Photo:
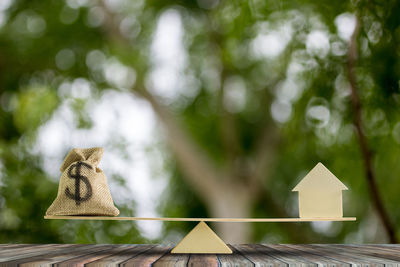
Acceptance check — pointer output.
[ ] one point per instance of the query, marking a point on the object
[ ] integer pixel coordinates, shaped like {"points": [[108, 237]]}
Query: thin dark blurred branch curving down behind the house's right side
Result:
{"points": [[366, 151]]}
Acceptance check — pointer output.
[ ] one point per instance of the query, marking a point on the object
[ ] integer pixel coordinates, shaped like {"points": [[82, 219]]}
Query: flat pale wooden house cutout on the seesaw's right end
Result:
{"points": [[320, 194]]}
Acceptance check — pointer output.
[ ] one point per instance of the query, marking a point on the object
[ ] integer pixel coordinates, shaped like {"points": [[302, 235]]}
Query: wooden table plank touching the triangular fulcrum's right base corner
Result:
{"points": [[259, 259]]}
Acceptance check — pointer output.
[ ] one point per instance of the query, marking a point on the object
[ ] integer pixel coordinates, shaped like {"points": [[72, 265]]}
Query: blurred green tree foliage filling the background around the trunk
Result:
{"points": [[284, 79]]}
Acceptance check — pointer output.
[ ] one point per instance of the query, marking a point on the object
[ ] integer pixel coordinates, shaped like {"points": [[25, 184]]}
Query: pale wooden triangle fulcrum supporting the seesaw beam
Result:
{"points": [[202, 240]]}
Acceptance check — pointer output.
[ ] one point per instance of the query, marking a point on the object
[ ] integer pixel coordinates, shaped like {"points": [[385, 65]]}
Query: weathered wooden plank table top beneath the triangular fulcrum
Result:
{"points": [[159, 255]]}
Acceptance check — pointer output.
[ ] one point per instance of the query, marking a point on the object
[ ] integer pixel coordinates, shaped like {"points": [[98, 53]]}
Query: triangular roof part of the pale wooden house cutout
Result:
{"points": [[320, 177]]}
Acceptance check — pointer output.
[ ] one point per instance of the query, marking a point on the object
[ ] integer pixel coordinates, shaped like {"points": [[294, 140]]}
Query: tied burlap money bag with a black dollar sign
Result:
{"points": [[83, 188]]}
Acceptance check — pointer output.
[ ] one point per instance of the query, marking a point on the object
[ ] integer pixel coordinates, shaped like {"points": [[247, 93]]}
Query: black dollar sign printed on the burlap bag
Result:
{"points": [[78, 178]]}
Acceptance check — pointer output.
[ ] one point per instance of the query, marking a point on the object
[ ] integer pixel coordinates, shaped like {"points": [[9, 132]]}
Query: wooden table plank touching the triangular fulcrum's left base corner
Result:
{"points": [[148, 257]]}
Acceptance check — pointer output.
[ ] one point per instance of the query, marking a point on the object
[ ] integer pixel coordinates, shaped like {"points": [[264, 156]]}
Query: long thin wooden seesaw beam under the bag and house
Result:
{"points": [[198, 219]]}
